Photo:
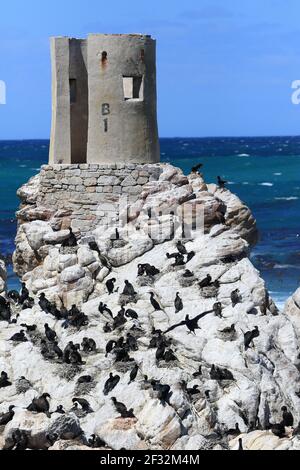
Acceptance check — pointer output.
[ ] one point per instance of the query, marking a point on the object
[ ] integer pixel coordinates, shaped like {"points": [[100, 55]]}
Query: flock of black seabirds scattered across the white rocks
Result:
{"points": [[122, 347]]}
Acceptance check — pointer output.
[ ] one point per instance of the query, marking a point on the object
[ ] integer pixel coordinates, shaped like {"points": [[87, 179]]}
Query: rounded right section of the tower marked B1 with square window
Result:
{"points": [[122, 99]]}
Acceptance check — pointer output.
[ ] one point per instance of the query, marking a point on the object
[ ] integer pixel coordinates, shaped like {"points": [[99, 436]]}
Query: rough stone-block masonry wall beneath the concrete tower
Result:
{"points": [[90, 195]]}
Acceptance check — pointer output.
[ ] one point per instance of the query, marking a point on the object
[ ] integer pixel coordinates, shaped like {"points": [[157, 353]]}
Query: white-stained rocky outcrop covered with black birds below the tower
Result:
{"points": [[260, 377]]}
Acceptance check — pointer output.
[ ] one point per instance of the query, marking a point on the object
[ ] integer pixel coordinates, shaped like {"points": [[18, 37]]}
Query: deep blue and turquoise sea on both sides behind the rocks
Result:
{"points": [[263, 172]]}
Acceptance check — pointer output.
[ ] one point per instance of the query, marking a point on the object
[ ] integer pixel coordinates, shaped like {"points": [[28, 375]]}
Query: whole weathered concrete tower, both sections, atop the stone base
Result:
{"points": [[104, 100]]}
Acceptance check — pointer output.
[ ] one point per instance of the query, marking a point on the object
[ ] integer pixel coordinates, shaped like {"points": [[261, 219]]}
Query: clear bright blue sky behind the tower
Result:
{"points": [[225, 67]]}
